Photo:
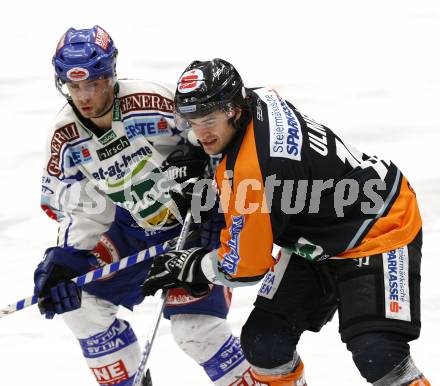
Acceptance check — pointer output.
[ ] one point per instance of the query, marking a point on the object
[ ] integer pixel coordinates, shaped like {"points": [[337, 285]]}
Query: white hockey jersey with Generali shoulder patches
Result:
{"points": [[87, 175]]}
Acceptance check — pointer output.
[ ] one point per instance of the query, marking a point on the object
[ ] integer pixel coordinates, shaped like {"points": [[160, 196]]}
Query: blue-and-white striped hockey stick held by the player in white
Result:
{"points": [[92, 275]]}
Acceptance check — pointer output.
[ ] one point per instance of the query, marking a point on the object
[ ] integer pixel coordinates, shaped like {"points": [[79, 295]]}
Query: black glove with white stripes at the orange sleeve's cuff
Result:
{"points": [[178, 269]]}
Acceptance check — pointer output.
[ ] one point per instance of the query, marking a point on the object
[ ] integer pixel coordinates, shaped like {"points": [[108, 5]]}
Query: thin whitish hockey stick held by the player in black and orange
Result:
{"points": [[160, 307]]}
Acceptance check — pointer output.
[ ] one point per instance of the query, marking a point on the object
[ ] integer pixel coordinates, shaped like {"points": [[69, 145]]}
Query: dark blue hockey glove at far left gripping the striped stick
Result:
{"points": [[52, 280]]}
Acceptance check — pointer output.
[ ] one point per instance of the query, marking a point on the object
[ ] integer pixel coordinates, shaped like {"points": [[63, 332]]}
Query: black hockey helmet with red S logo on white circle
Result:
{"points": [[208, 86]]}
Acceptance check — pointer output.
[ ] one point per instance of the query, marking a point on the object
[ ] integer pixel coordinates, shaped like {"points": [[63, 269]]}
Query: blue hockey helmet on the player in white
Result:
{"points": [[84, 54]]}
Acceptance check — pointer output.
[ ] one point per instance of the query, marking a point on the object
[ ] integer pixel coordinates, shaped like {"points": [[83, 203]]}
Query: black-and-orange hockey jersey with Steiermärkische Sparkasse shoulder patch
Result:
{"points": [[290, 181]]}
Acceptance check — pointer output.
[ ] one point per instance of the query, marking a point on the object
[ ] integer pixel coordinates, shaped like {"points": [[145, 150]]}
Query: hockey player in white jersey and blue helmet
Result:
{"points": [[105, 181]]}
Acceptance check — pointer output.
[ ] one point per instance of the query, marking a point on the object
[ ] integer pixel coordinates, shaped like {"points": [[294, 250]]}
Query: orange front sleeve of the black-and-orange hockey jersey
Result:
{"points": [[247, 241]]}
